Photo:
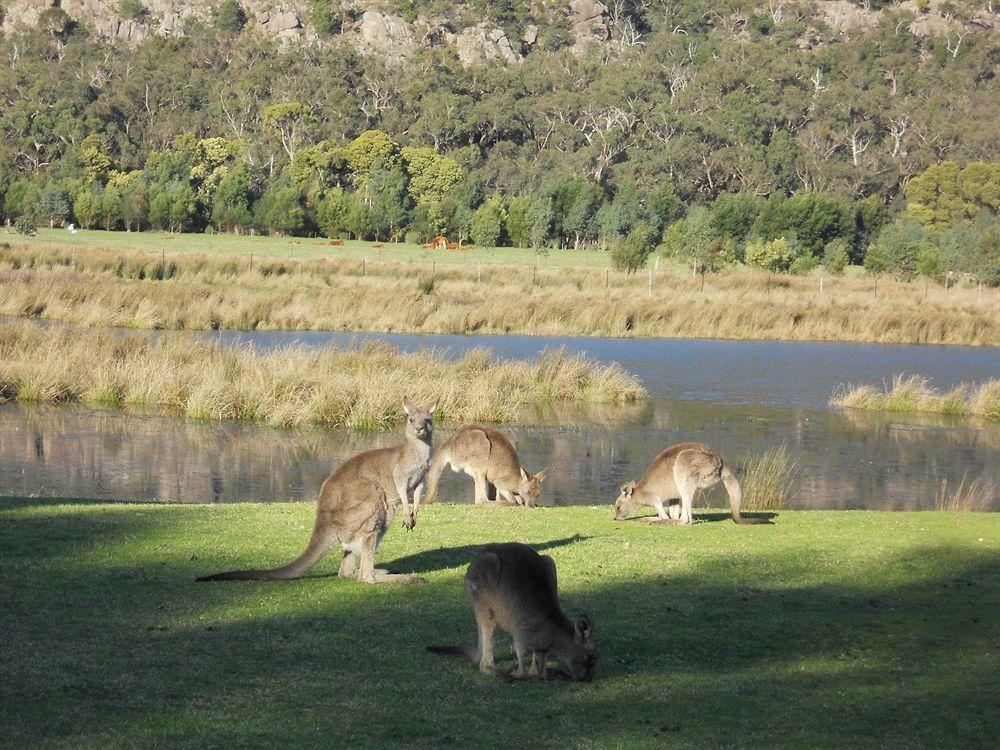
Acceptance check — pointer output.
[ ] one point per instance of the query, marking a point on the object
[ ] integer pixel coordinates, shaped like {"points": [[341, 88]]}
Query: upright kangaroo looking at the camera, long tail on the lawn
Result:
{"points": [[357, 503]]}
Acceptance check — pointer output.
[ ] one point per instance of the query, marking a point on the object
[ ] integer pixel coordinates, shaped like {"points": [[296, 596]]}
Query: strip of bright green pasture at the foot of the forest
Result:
{"points": [[307, 248]]}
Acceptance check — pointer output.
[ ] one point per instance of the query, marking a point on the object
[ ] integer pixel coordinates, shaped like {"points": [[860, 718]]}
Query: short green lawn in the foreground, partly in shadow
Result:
{"points": [[829, 629]]}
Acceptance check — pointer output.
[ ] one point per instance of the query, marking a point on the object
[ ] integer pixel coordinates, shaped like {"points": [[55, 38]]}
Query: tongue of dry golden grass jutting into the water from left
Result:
{"points": [[360, 388]]}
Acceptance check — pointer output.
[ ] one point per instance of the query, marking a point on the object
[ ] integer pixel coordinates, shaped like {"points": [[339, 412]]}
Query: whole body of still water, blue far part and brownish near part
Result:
{"points": [[737, 396]]}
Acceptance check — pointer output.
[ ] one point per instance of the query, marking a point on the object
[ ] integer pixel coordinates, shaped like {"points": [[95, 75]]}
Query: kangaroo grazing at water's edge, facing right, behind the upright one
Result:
{"points": [[489, 458]]}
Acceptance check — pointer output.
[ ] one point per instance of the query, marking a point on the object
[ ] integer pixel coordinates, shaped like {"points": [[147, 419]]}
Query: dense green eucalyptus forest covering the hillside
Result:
{"points": [[776, 135]]}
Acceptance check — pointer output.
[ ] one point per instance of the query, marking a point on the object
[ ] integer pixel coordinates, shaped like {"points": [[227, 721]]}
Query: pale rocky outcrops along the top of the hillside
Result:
{"points": [[393, 30]]}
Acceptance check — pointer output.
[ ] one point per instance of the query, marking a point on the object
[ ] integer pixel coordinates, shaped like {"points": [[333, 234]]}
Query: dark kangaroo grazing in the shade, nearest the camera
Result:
{"points": [[512, 586]]}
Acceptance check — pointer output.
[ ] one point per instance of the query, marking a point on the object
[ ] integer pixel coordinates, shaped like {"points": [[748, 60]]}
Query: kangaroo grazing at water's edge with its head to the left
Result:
{"points": [[673, 478]]}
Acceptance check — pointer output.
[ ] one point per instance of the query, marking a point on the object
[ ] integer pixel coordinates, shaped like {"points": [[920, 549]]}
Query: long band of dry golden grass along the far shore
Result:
{"points": [[102, 287]]}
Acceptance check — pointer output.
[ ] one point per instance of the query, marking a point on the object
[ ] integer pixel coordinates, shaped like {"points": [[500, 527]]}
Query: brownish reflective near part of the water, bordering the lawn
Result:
{"points": [[849, 460]]}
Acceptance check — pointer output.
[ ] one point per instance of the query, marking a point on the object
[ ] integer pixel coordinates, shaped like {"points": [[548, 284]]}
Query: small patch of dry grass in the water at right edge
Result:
{"points": [[913, 393]]}
